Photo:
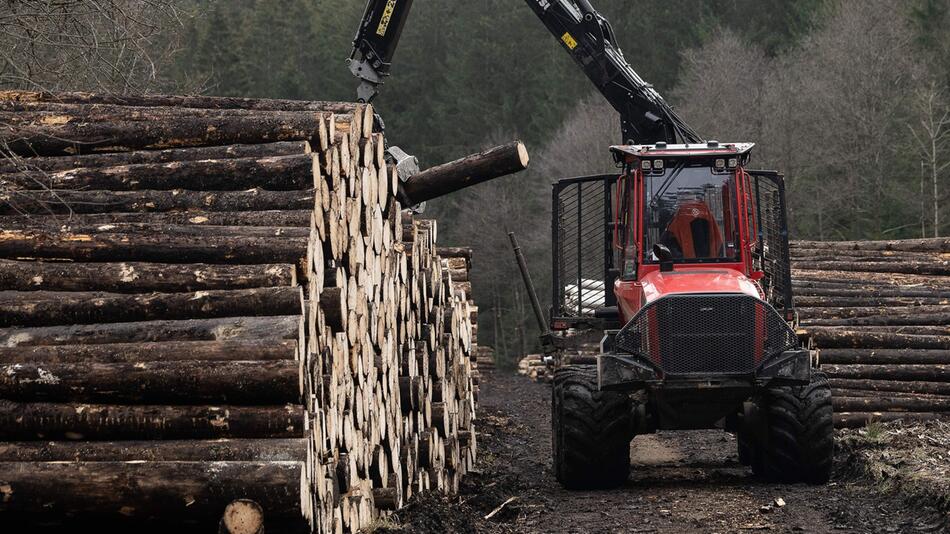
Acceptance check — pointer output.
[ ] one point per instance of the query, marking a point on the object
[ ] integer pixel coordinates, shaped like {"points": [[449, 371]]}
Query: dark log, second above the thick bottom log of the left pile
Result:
{"points": [[47, 421]]}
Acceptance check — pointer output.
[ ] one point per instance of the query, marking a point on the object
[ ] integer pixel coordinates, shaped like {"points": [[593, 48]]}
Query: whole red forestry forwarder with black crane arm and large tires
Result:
{"points": [[681, 261]]}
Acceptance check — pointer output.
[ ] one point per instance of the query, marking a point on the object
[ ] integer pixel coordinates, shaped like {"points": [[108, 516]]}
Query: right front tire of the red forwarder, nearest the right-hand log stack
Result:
{"points": [[800, 434]]}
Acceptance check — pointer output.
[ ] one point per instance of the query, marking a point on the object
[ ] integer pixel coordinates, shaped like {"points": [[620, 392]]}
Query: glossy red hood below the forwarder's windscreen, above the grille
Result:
{"points": [[697, 279]]}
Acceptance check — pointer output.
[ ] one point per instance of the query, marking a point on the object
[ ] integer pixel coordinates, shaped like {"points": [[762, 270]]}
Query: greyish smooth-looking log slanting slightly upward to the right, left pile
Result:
{"points": [[229, 328]]}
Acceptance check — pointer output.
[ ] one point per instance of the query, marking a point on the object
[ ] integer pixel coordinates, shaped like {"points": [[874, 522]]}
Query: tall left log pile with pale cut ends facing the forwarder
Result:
{"points": [[209, 300]]}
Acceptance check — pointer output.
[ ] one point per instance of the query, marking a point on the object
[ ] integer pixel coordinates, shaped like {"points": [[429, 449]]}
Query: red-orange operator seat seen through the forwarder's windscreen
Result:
{"points": [[693, 232]]}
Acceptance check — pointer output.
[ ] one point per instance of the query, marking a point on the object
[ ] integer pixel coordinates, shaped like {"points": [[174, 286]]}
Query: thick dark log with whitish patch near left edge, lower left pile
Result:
{"points": [[177, 382]]}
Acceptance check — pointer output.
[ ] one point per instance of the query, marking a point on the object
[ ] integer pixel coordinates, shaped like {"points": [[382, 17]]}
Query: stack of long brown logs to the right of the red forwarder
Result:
{"points": [[879, 312]]}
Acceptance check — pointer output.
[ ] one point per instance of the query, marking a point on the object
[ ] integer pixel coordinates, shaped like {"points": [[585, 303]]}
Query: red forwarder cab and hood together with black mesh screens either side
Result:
{"points": [[718, 228]]}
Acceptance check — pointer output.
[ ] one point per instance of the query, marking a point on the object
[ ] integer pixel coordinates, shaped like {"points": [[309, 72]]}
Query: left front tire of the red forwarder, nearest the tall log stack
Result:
{"points": [[591, 431]]}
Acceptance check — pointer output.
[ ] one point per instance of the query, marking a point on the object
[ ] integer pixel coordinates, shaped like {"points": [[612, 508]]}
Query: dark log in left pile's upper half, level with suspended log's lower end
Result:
{"points": [[14, 202]]}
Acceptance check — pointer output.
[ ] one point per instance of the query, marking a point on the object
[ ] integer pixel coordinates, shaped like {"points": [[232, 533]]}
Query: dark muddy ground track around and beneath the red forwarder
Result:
{"points": [[681, 482]]}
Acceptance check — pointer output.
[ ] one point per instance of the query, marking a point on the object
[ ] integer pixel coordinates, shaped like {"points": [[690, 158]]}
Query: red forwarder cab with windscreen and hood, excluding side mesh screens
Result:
{"points": [[683, 222]]}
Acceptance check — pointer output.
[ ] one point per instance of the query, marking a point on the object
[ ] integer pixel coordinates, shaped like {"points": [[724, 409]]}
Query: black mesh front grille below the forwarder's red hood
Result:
{"points": [[706, 334]]}
